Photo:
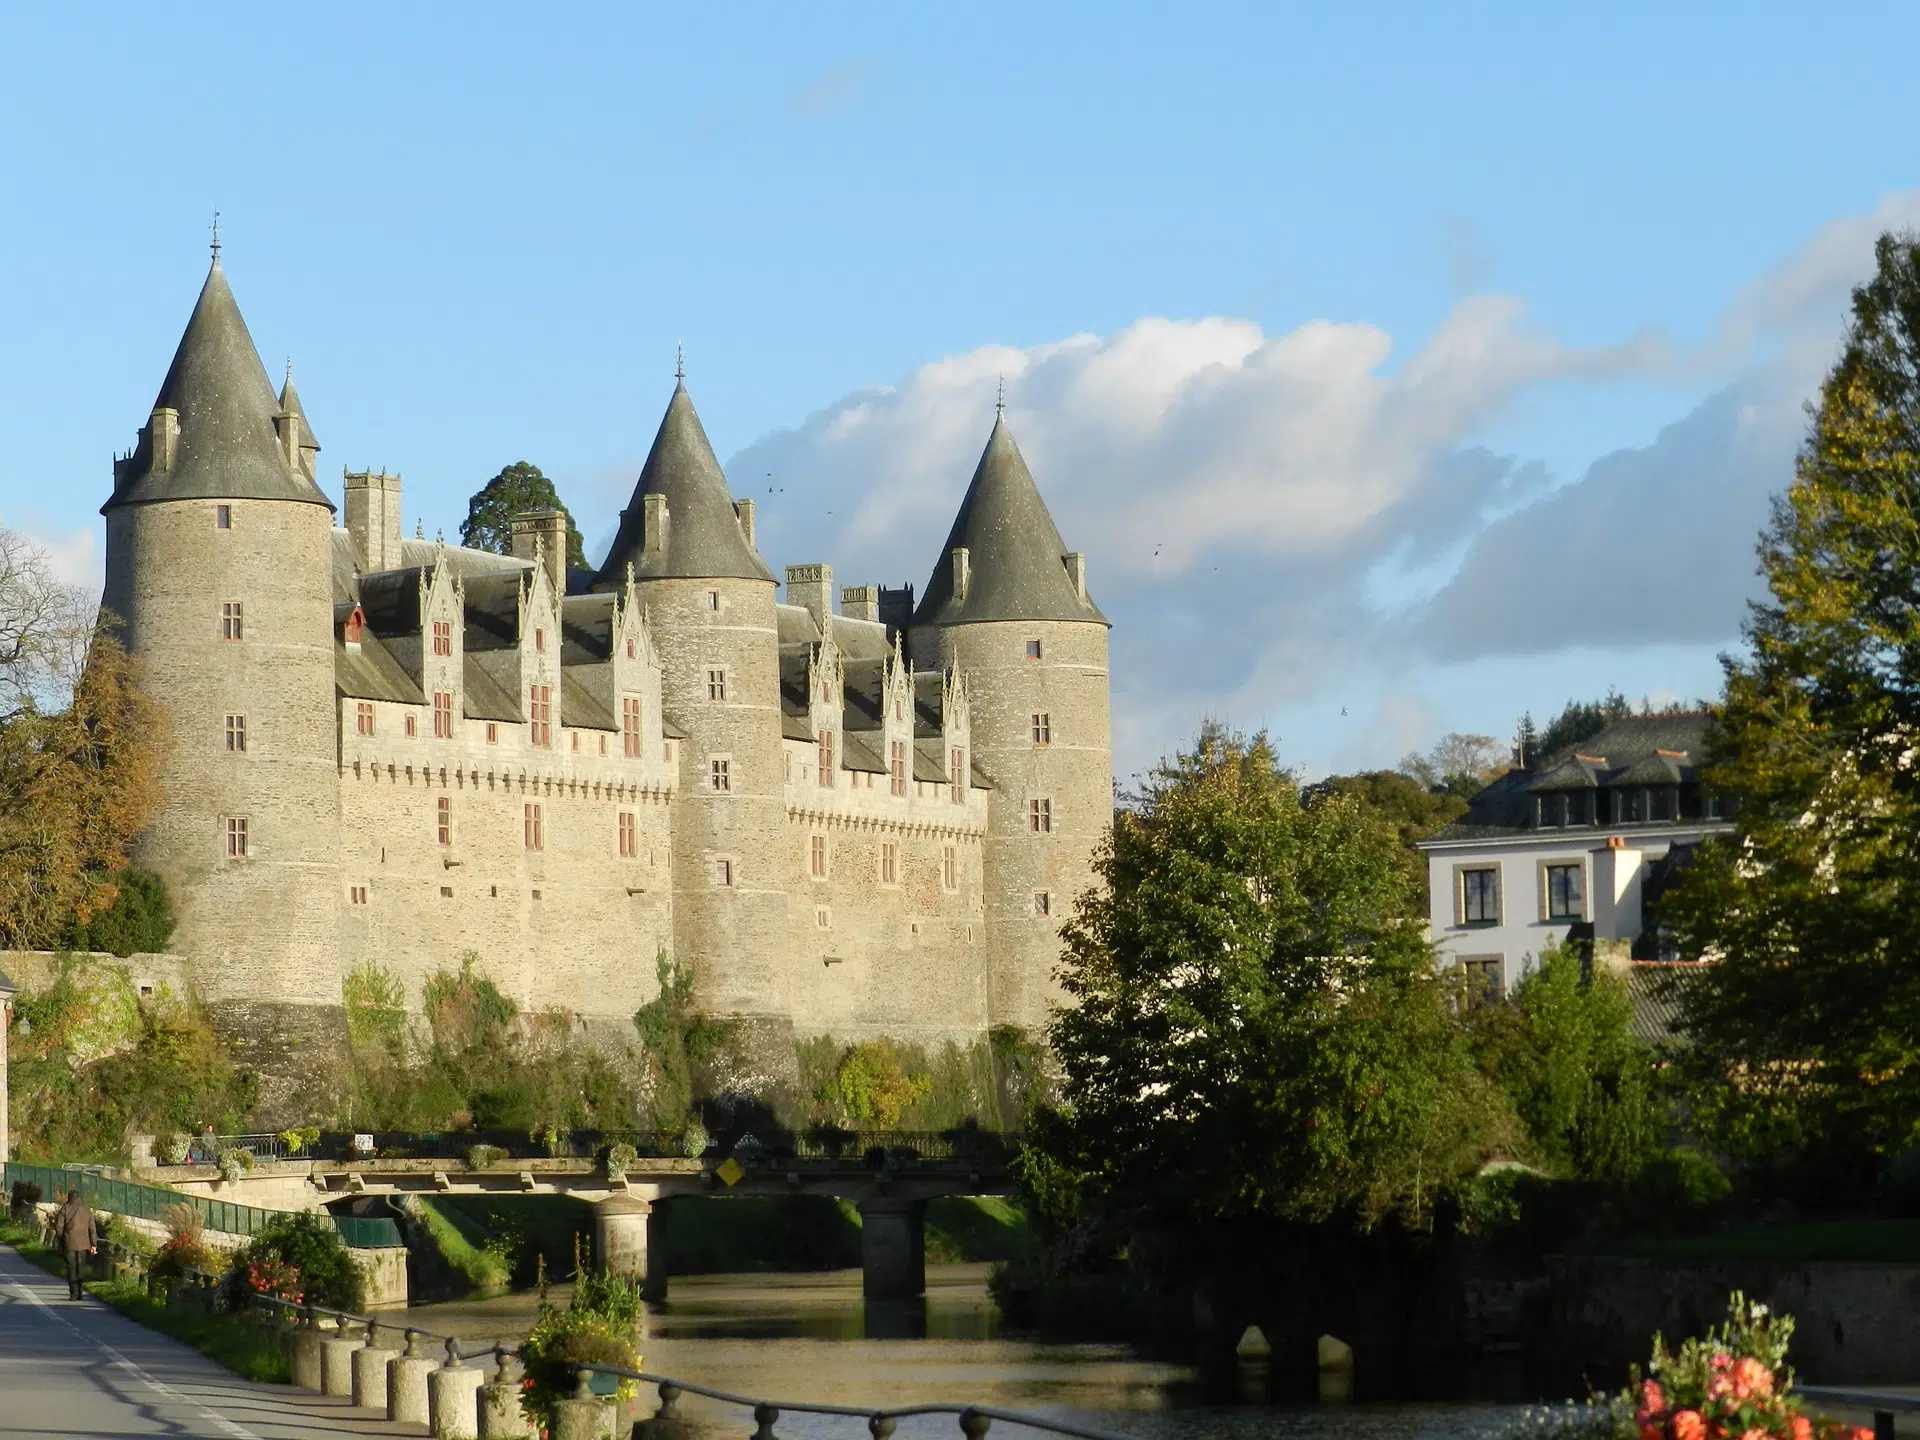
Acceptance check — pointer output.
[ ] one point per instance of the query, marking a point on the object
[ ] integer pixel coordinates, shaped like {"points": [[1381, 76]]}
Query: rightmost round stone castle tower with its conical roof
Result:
{"points": [[1009, 610]]}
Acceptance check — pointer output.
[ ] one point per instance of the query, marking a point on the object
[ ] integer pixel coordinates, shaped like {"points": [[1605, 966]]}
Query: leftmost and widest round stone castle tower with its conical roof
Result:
{"points": [[220, 575]]}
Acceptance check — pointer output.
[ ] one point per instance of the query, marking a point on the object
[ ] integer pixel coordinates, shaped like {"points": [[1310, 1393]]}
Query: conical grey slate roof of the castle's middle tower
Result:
{"points": [[704, 539]]}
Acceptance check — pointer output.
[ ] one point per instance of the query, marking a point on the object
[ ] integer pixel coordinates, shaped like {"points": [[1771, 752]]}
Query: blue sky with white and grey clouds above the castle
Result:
{"points": [[1397, 368]]}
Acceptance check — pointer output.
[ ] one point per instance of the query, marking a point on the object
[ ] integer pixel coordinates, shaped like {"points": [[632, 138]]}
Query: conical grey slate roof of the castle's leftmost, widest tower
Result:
{"points": [[228, 446]]}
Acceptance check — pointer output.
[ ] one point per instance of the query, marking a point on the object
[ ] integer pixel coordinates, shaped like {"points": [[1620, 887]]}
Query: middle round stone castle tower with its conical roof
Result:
{"points": [[709, 602]]}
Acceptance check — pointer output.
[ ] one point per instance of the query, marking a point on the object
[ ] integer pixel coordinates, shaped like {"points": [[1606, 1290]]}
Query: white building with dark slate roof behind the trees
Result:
{"points": [[1579, 846]]}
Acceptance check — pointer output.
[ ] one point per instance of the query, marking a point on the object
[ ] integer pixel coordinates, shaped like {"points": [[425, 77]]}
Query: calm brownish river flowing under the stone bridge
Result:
{"points": [[811, 1337]]}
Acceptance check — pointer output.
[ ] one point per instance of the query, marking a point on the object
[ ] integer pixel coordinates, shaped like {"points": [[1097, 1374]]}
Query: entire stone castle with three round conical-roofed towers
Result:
{"points": [[859, 819]]}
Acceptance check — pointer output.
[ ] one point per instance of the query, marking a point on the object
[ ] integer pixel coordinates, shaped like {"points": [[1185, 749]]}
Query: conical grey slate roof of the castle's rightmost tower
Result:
{"points": [[1017, 567]]}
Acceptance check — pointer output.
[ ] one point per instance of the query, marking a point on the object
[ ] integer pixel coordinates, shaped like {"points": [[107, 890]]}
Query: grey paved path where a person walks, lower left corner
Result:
{"points": [[80, 1370]]}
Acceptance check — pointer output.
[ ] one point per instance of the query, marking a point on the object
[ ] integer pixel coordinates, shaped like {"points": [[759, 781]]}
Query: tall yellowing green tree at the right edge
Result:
{"points": [[1806, 1038]]}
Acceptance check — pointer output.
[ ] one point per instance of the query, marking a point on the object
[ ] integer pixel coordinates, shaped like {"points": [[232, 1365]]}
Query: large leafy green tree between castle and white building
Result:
{"points": [[1259, 1030]]}
